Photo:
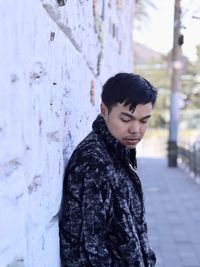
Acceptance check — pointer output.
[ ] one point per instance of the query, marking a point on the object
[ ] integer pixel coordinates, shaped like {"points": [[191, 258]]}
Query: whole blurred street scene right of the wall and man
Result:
{"points": [[167, 52]]}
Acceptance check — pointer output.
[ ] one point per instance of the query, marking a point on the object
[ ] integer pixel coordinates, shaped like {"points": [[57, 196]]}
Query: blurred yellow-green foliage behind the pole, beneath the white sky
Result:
{"points": [[159, 74]]}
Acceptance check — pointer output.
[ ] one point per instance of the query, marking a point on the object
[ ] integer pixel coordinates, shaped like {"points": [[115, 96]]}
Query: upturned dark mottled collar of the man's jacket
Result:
{"points": [[127, 155]]}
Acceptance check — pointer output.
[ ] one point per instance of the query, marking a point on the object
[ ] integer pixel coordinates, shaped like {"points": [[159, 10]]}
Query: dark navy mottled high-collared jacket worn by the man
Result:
{"points": [[102, 220]]}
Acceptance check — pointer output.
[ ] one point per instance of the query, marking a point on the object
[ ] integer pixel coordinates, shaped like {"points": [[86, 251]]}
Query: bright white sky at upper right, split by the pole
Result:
{"points": [[157, 33]]}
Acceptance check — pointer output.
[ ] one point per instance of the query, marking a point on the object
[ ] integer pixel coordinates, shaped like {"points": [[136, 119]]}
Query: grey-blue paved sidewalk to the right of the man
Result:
{"points": [[172, 202]]}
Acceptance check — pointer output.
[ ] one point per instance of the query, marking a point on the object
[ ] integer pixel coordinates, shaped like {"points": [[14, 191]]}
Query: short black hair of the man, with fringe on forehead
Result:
{"points": [[128, 88]]}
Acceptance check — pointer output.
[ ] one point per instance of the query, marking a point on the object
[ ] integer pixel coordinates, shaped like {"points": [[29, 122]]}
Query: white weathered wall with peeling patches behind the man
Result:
{"points": [[54, 57]]}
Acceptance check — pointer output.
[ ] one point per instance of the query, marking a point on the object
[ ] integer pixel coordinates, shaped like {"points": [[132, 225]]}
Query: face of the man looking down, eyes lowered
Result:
{"points": [[126, 126]]}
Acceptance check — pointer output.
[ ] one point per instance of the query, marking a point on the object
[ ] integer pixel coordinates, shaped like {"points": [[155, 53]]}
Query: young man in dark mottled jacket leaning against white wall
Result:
{"points": [[102, 221]]}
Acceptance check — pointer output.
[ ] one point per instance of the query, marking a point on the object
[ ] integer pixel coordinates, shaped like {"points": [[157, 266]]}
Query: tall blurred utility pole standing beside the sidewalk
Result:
{"points": [[175, 86]]}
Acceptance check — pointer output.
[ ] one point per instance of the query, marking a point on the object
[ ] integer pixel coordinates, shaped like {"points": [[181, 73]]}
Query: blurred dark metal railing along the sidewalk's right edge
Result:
{"points": [[189, 156]]}
